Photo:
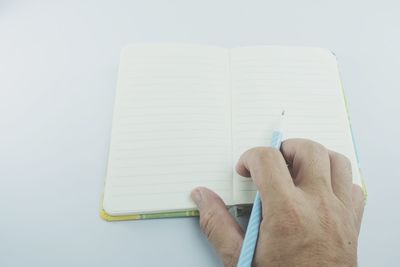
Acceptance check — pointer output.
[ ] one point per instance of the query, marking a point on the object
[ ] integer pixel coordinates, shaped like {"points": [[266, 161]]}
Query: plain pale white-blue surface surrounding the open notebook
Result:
{"points": [[58, 66]]}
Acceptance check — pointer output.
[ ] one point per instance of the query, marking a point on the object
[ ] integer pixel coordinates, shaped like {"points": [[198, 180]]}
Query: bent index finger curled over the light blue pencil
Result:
{"points": [[268, 169]]}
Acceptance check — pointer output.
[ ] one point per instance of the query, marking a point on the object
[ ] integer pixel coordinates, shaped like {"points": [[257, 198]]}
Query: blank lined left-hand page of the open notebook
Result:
{"points": [[171, 128]]}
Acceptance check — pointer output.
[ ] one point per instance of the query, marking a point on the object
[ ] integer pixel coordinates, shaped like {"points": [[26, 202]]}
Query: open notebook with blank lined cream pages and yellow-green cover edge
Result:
{"points": [[184, 114]]}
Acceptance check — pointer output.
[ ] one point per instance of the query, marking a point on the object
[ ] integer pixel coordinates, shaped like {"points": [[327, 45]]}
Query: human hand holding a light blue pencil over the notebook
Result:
{"points": [[311, 210]]}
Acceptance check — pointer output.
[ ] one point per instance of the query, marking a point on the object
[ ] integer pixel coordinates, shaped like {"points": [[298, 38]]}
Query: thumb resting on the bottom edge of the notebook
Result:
{"points": [[218, 225]]}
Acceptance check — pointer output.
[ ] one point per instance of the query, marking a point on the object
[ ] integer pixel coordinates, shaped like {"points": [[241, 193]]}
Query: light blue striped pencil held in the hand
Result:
{"points": [[250, 239]]}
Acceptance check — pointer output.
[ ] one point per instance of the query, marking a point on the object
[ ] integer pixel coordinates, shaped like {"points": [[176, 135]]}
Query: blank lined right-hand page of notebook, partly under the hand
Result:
{"points": [[303, 81]]}
